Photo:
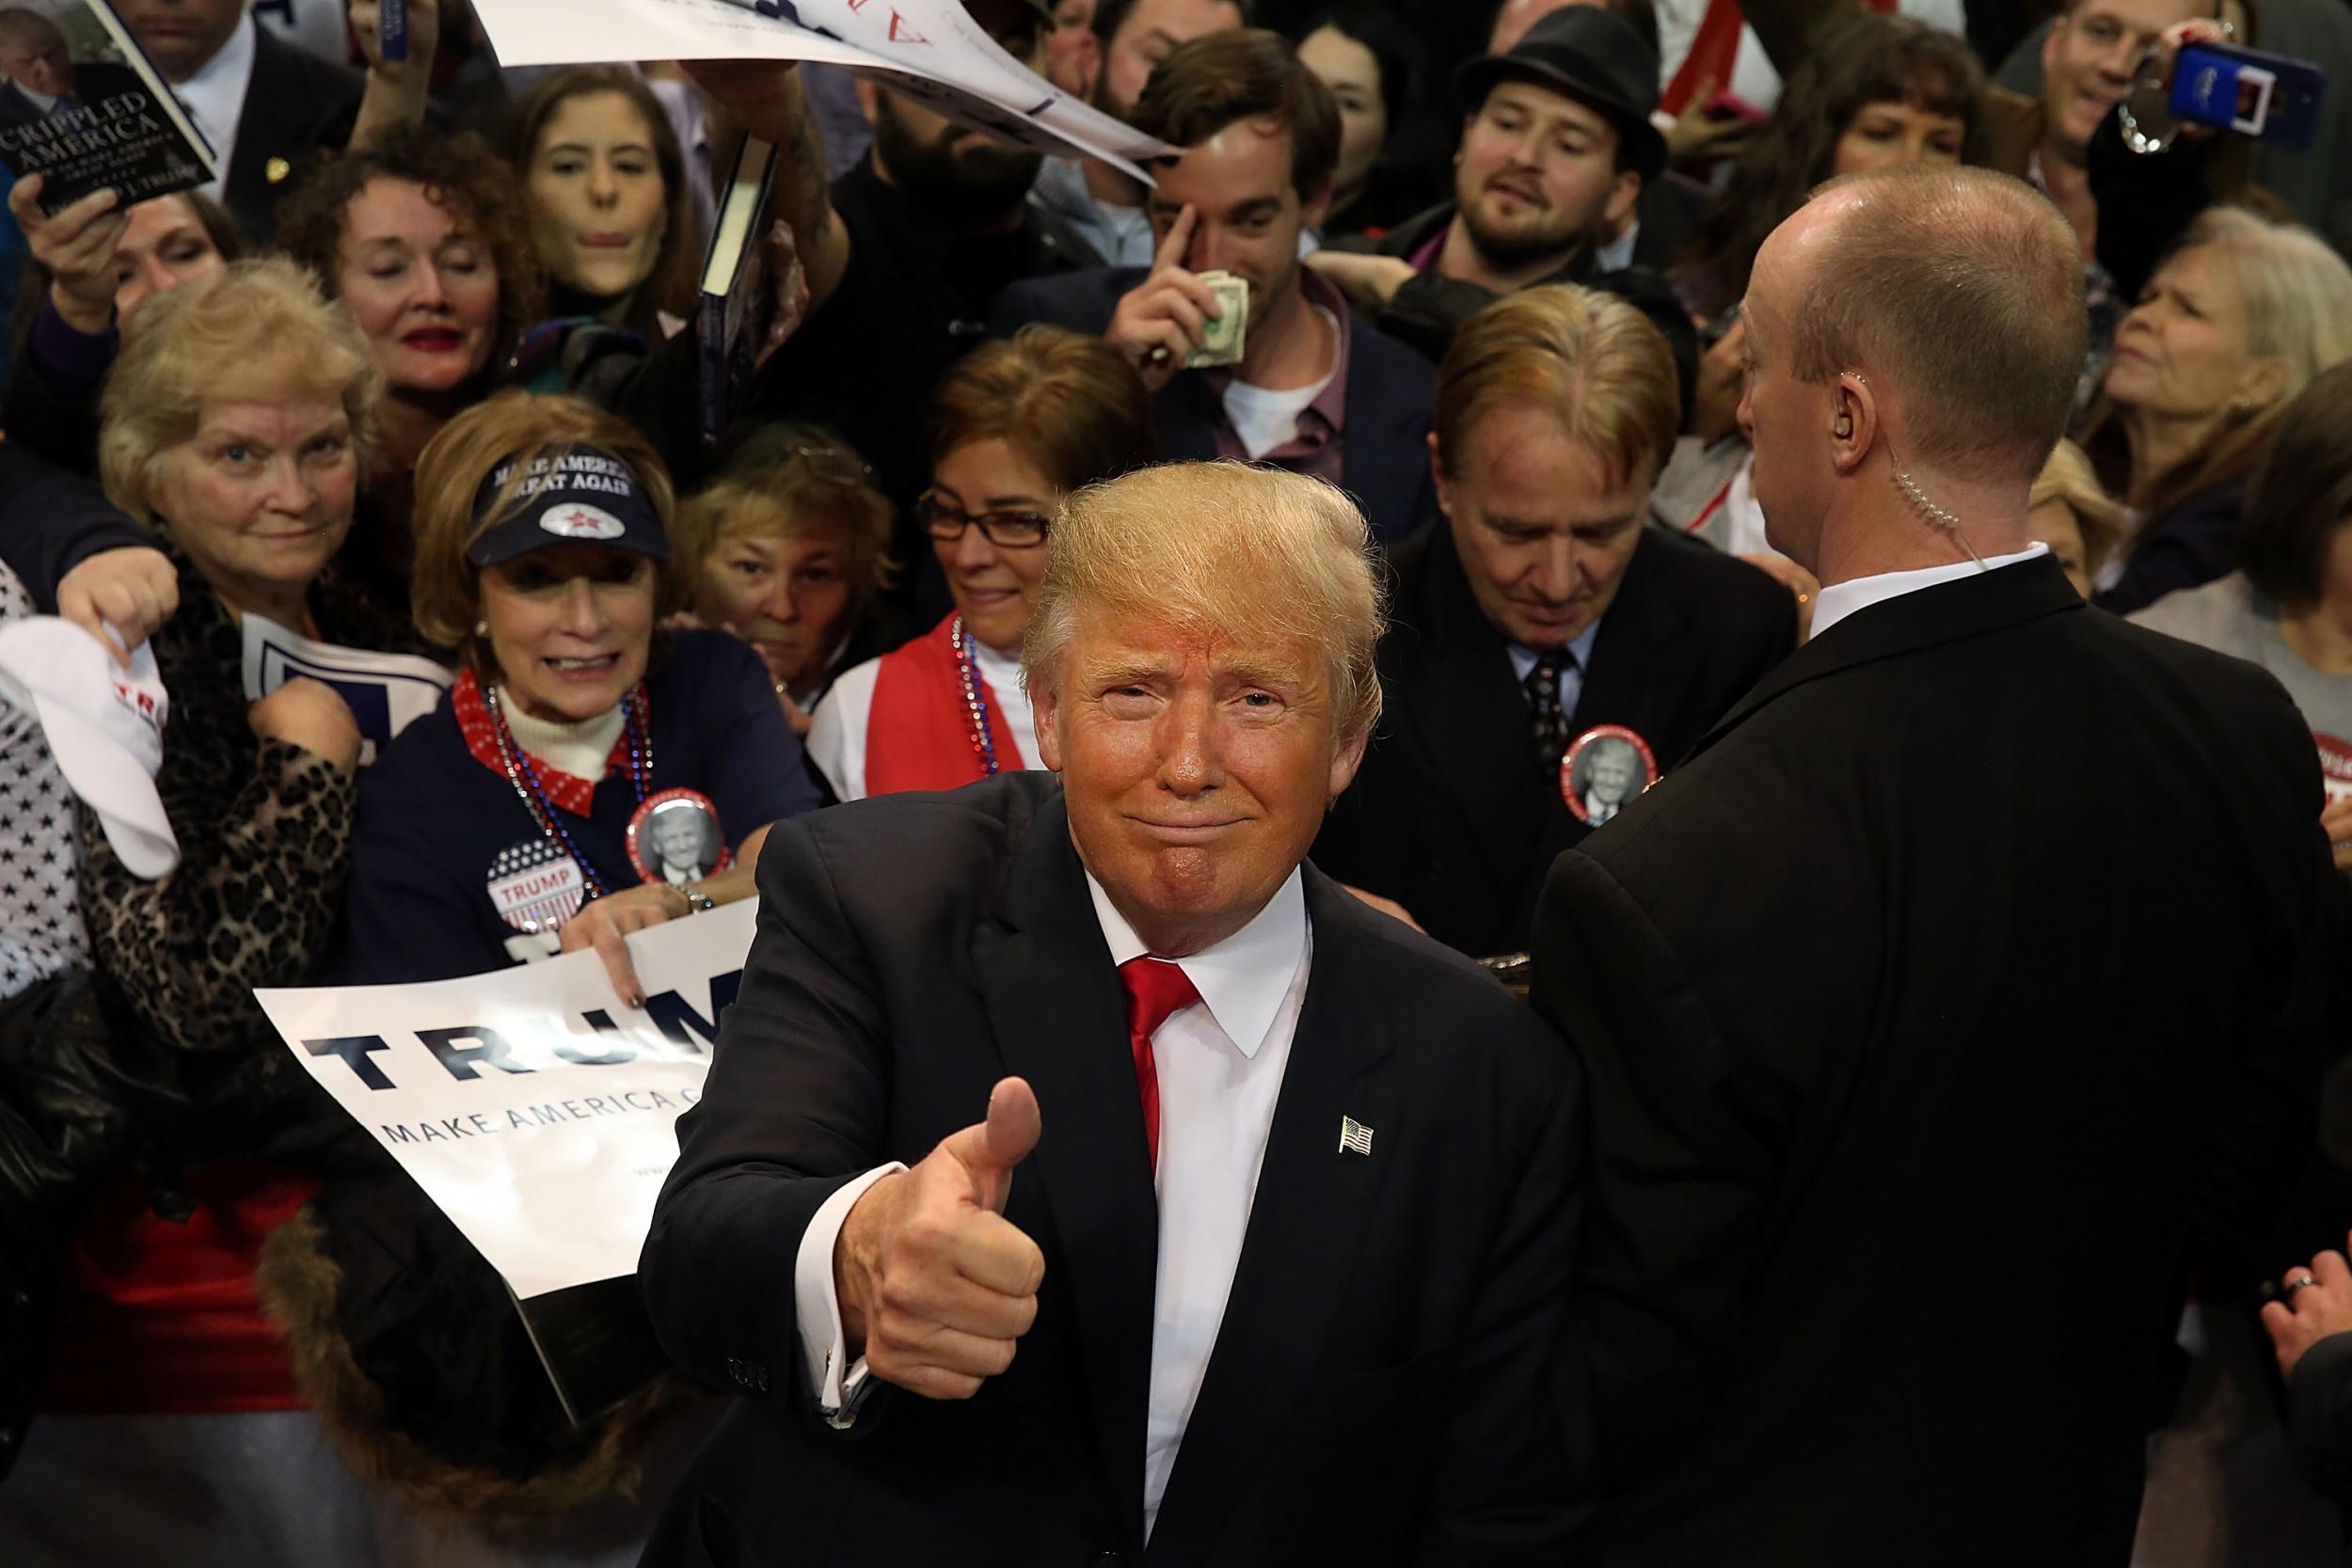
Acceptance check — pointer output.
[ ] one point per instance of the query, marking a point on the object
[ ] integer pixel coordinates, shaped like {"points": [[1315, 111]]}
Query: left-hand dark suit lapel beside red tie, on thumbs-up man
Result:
{"points": [[1060, 1019]]}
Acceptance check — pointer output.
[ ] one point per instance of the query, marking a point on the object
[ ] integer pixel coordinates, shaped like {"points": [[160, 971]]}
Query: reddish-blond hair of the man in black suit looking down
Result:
{"points": [[1591, 359]]}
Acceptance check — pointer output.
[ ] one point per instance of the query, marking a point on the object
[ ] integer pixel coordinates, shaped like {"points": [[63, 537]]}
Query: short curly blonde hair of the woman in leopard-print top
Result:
{"points": [[255, 333]]}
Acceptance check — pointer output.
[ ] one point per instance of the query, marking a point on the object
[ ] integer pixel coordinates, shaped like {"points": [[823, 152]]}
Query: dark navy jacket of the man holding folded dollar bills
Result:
{"points": [[1384, 457]]}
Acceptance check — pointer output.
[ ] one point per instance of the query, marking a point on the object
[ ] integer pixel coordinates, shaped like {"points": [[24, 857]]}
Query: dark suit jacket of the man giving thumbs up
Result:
{"points": [[1389, 1383]]}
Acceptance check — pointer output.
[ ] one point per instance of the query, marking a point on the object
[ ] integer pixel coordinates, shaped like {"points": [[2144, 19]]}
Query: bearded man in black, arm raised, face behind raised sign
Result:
{"points": [[904, 257]]}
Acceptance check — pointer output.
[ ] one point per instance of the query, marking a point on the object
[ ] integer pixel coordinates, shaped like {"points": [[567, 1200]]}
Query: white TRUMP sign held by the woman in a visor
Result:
{"points": [[530, 1104]]}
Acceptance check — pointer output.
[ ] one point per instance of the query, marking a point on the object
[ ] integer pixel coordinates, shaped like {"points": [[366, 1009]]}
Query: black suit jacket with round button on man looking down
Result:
{"points": [[1450, 815]]}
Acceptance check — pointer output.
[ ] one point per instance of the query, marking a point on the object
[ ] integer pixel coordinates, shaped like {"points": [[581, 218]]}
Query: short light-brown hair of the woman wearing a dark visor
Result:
{"points": [[514, 427]]}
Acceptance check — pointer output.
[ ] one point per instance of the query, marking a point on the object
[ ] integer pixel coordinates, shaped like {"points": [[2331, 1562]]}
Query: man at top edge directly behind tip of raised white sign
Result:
{"points": [[1109, 62]]}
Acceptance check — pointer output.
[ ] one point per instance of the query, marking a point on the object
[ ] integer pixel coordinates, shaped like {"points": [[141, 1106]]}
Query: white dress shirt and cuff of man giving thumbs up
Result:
{"points": [[1220, 1078]]}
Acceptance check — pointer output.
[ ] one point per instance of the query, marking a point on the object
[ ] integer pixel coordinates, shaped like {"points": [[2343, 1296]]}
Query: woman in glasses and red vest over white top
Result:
{"points": [[1013, 431]]}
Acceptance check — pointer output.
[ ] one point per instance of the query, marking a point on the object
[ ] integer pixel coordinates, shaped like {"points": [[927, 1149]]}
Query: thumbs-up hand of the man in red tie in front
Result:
{"points": [[933, 1278]]}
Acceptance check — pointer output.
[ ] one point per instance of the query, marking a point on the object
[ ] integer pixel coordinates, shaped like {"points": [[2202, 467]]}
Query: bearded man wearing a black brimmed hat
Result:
{"points": [[1553, 159]]}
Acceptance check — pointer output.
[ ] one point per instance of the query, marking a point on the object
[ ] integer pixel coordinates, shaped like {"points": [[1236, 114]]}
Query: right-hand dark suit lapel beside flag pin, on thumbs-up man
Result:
{"points": [[1307, 1231]]}
